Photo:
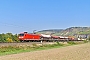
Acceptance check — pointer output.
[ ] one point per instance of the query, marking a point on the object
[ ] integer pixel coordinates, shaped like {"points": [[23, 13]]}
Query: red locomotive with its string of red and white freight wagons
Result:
{"points": [[41, 37]]}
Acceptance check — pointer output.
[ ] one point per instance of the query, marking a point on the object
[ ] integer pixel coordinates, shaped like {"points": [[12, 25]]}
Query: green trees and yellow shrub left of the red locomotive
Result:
{"points": [[9, 37]]}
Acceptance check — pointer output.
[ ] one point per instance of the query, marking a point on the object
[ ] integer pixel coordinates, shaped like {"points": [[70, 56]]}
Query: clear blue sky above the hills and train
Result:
{"points": [[27, 15]]}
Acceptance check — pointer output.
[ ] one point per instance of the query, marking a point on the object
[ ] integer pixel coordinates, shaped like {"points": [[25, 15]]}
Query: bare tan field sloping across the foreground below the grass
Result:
{"points": [[77, 52]]}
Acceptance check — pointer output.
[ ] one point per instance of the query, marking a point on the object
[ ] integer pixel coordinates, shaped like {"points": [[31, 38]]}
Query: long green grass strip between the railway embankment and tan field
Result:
{"points": [[19, 49]]}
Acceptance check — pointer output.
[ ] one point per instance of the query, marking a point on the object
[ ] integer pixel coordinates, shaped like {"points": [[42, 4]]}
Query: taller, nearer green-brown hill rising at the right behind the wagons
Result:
{"points": [[76, 30]]}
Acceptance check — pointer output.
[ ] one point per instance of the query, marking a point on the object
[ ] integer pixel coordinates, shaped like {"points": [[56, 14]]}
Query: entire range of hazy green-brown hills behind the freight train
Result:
{"points": [[67, 32]]}
